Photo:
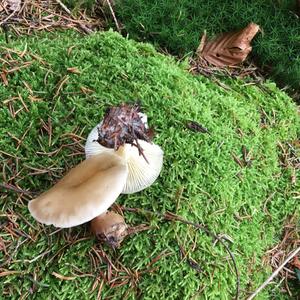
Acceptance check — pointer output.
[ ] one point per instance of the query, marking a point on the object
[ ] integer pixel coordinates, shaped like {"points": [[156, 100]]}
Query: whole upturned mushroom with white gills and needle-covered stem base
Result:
{"points": [[124, 129]]}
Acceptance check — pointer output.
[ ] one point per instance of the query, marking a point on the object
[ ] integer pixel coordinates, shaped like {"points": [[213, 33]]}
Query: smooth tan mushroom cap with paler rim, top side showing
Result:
{"points": [[85, 192]]}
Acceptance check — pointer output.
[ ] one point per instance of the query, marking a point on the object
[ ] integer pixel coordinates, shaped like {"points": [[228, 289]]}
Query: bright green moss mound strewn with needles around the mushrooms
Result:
{"points": [[200, 179]]}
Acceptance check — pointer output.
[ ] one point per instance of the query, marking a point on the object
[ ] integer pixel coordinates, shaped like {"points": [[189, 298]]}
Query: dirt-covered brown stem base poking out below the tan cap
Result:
{"points": [[110, 228]]}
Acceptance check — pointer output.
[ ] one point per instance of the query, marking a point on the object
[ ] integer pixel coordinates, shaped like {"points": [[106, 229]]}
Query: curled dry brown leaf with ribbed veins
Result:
{"points": [[230, 48]]}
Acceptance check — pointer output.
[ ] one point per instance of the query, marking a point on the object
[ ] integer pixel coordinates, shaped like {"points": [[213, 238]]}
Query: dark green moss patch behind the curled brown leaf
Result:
{"points": [[177, 27]]}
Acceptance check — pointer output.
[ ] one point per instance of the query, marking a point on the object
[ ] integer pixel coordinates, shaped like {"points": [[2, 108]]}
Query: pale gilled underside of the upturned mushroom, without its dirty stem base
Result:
{"points": [[141, 173]]}
